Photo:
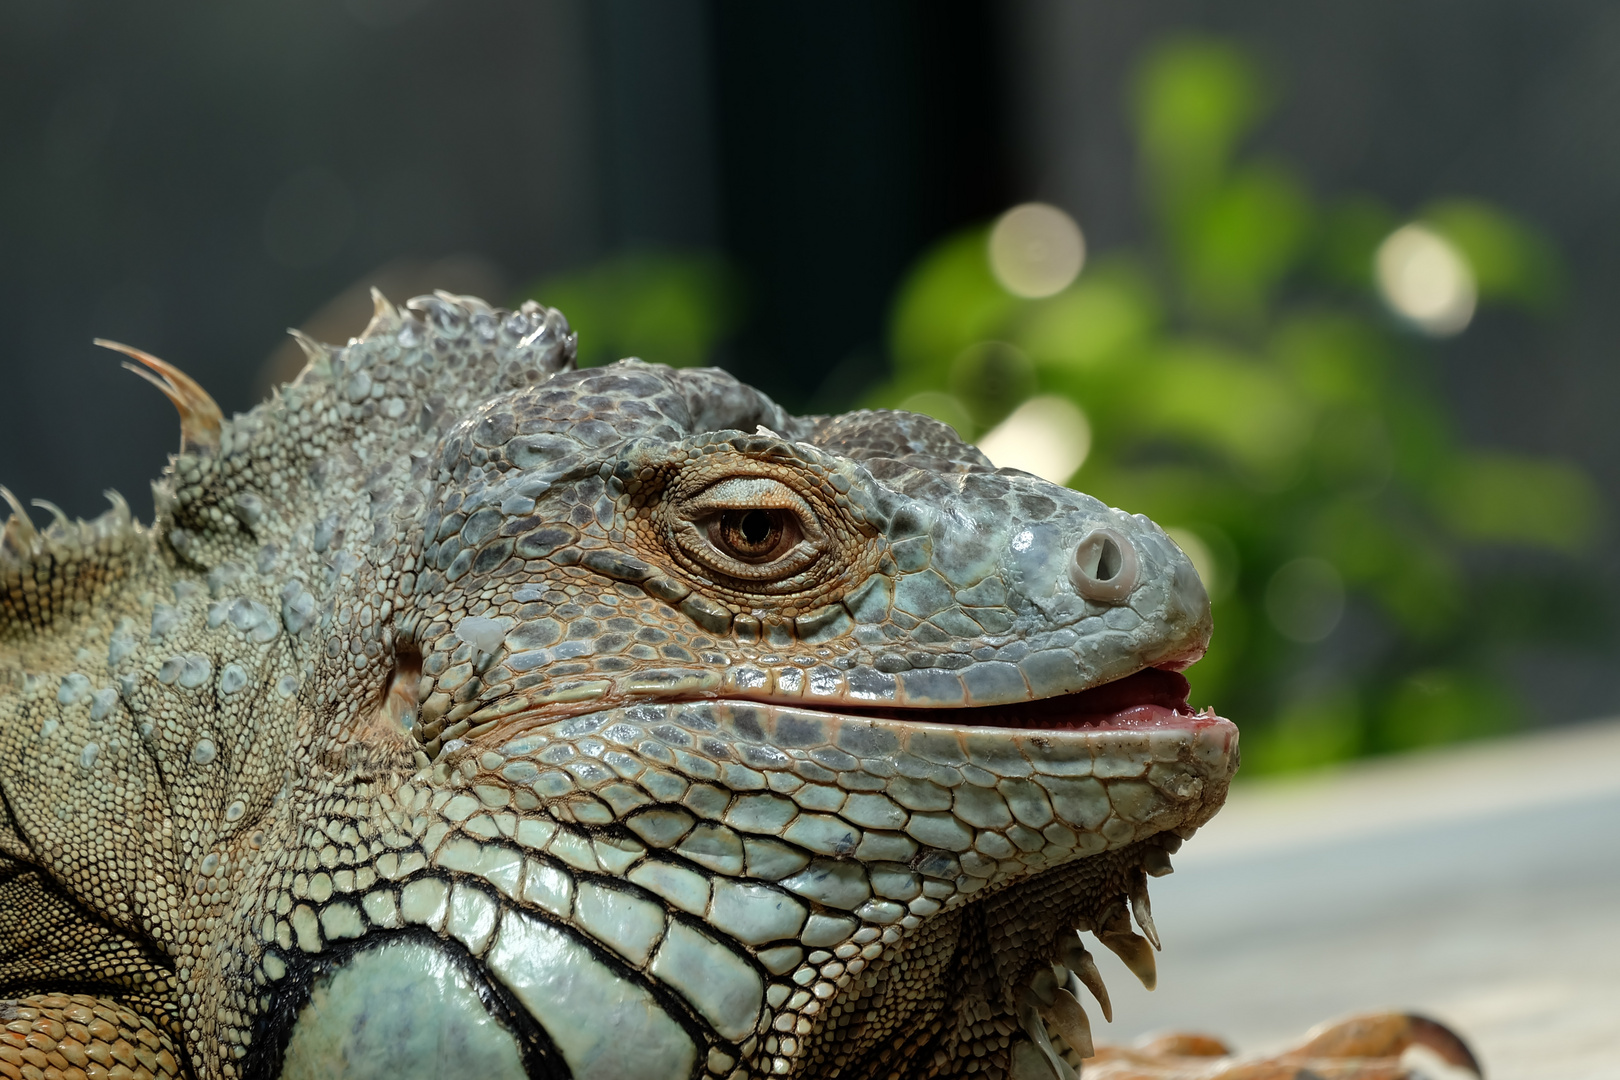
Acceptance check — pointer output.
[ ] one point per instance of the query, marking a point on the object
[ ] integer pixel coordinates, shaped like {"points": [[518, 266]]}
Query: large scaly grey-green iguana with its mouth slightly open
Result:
{"points": [[463, 713]]}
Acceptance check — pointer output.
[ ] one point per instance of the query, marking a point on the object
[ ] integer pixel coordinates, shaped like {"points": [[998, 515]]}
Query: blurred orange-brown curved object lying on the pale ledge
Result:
{"points": [[1375, 1047]]}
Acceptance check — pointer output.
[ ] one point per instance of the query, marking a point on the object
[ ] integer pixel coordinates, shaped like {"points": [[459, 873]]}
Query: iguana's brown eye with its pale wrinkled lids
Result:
{"points": [[751, 529]]}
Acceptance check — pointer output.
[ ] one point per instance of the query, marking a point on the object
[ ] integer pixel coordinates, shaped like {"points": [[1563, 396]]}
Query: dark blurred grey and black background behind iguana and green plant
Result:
{"points": [[762, 181]]}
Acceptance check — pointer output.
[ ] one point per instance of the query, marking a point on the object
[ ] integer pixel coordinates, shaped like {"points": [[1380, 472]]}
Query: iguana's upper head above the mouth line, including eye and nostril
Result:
{"points": [[586, 548]]}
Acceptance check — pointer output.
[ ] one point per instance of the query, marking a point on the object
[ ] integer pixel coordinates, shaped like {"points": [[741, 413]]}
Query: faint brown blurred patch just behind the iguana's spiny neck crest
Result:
{"points": [[346, 315]]}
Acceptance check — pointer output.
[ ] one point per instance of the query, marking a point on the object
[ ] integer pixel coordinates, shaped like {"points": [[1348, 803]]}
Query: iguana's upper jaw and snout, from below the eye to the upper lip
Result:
{"points": [[953, 614]]}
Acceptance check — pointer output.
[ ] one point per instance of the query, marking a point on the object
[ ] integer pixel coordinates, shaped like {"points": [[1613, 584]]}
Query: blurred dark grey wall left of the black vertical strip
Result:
{"points": [[194, 179]]}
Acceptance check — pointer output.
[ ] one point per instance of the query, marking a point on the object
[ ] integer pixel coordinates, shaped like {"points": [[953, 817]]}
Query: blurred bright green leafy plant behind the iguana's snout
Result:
{"points": [[1247, 389]]}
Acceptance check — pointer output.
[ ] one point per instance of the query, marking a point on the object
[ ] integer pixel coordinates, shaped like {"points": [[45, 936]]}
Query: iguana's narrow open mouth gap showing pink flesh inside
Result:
{"points": [[1149, 699]]}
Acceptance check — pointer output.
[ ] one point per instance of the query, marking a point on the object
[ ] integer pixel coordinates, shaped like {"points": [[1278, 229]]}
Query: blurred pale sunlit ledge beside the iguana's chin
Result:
{"points": [[1478, 885]]}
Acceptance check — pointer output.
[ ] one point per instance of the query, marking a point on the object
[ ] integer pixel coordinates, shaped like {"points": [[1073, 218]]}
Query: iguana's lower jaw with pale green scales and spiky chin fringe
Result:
{"points": [[1051, 801]]}
